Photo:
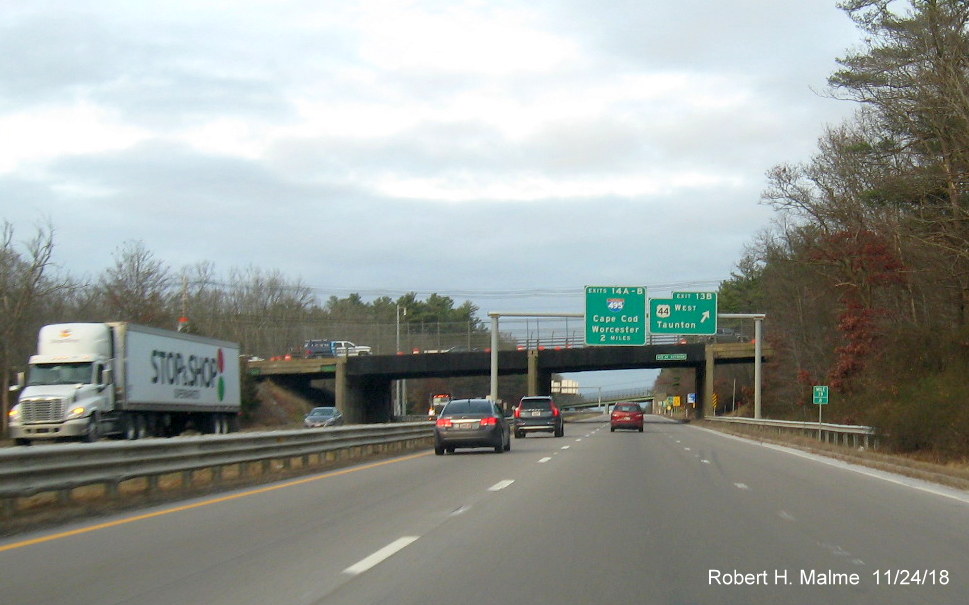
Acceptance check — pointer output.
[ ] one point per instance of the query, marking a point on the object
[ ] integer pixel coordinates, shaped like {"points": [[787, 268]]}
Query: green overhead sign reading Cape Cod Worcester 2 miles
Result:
{"points": [[615, 315]]}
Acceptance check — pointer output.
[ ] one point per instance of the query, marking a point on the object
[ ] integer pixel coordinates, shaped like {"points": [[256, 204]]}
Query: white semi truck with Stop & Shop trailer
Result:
{"points": [[94, 379]]}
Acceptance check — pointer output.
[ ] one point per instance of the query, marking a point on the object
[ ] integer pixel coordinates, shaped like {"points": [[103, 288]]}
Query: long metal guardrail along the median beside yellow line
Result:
{"points": [[26, 471]]}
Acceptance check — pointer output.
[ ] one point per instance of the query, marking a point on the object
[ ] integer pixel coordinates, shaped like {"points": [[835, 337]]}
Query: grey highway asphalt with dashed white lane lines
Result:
{"points": [[676, 514]]}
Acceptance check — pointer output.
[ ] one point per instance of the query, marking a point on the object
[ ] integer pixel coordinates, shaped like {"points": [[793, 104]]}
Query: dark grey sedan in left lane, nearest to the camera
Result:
{"points": [[471, 423]]}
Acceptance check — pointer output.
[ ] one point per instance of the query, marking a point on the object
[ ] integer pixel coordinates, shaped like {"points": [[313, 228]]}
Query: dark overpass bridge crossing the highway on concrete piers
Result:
{"points": [[363, 385]]}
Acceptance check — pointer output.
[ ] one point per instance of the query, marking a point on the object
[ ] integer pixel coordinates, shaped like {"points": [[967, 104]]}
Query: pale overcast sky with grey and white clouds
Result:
{"points": [[503, 152]]}
